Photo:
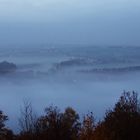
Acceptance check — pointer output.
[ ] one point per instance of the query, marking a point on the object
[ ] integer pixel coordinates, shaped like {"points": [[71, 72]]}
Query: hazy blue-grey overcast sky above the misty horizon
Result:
{"points": [[96, 22]]}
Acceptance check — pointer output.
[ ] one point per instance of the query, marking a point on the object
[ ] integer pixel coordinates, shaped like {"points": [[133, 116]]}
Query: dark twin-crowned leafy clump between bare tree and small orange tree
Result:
{"points": [[56, 125]]}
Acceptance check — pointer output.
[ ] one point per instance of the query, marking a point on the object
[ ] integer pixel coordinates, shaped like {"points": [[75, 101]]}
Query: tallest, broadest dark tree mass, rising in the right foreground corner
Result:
{"points": [[123, 122]]}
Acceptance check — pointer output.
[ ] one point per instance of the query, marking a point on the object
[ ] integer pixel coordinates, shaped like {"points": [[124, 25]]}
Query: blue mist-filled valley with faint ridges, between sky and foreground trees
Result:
{"points": [[86, 78]]}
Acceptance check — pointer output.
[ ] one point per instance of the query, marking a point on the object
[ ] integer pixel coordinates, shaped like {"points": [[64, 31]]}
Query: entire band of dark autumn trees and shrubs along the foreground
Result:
{"points": [[120, 123]]}
